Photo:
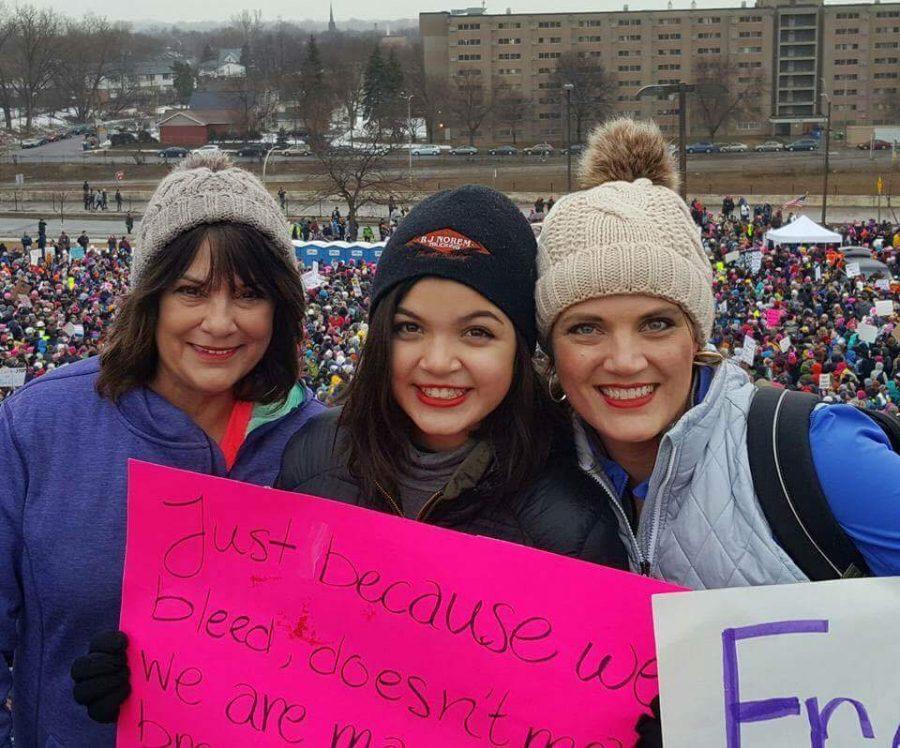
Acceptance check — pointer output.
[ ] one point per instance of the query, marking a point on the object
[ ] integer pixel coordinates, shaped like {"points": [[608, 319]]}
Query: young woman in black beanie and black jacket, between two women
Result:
{"points": [[445, 420]]}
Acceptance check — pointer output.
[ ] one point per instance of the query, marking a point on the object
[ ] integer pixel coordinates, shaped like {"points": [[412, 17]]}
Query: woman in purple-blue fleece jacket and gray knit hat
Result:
{"points": [[200, 372]]}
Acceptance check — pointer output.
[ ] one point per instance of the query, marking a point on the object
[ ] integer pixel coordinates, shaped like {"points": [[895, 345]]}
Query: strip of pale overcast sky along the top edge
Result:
{"points": [[203, 10]]}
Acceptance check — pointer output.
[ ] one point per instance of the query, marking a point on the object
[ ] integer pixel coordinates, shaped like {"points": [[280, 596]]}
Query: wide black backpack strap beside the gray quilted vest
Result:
{"points": [[786, 483]]}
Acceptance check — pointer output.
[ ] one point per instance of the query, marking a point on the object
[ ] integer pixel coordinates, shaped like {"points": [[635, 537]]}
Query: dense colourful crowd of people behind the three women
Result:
{"points": [[56, 311]]}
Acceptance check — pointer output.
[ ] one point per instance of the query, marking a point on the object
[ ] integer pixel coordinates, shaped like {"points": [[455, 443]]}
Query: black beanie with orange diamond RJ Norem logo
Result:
{"points": [[475, 236]]}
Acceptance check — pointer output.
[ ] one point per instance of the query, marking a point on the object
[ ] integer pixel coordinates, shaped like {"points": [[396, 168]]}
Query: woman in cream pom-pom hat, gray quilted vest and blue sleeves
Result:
{"points": [[625, 307]]}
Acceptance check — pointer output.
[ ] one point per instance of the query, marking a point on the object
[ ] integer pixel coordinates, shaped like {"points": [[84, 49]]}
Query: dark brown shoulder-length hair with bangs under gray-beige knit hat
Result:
{"points": [[130, 358]]}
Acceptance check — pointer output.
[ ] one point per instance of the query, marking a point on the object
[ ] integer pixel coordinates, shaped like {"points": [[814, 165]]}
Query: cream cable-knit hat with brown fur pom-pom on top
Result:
{"points": [[632, 234]]}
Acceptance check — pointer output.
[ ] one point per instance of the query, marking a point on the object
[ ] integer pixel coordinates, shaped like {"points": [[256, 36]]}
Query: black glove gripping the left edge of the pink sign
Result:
{"points": [[102, 677]]}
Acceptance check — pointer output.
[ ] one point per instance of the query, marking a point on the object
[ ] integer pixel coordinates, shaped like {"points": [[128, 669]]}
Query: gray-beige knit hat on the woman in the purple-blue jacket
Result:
{"points": [[206, 188]]}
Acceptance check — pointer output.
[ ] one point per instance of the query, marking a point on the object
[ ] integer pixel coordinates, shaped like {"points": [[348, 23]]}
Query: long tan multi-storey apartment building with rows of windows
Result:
{"points": [[785, 49]]}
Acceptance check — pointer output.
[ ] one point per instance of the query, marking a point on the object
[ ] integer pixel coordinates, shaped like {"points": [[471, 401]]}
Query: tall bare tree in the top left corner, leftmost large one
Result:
{"points": [[34, 55]]}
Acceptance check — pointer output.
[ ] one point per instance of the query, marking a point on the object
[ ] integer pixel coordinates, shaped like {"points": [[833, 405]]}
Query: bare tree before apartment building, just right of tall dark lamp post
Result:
{"points": [[724, 94]]}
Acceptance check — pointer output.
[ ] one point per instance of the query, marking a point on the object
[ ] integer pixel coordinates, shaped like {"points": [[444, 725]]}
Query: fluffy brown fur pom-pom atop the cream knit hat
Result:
{"points": [[623, 150]]}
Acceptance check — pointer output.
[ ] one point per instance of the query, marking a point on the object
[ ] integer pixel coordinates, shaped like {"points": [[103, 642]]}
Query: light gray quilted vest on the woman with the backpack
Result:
{"points": [[701, 525]]}
